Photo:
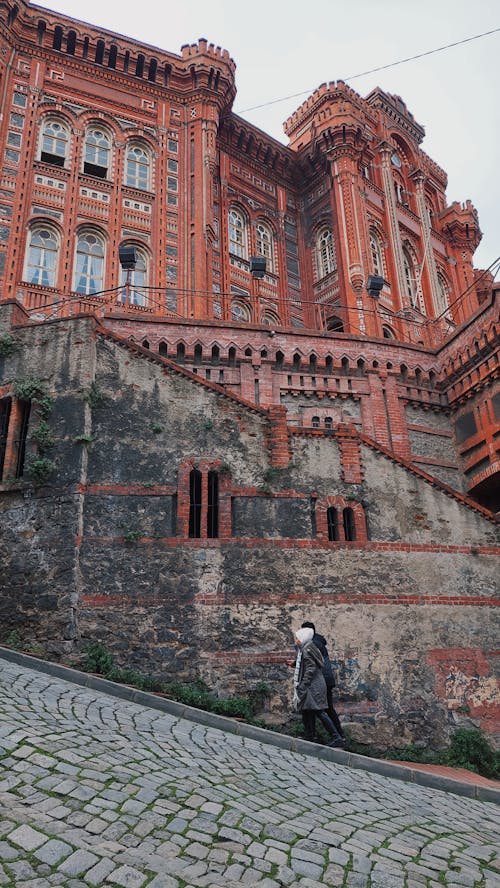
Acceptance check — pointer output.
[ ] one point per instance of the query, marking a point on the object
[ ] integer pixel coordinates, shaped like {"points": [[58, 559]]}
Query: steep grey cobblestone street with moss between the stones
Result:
{"points": [[98, 791]]}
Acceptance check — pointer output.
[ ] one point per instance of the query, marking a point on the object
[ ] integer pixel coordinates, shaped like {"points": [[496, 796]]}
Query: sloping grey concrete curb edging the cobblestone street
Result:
{"points": [[230, 726]]}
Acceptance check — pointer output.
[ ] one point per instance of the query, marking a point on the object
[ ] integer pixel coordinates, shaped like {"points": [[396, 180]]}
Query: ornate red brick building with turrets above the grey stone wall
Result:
{"points": [[107, 142]]}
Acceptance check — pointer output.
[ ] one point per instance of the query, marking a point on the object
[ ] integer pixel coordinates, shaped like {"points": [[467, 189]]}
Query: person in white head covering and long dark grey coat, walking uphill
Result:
{"points": [[310, 697]]}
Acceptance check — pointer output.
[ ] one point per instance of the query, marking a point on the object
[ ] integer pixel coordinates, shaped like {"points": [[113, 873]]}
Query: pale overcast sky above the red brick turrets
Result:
{"points": [[283, 47]]}
